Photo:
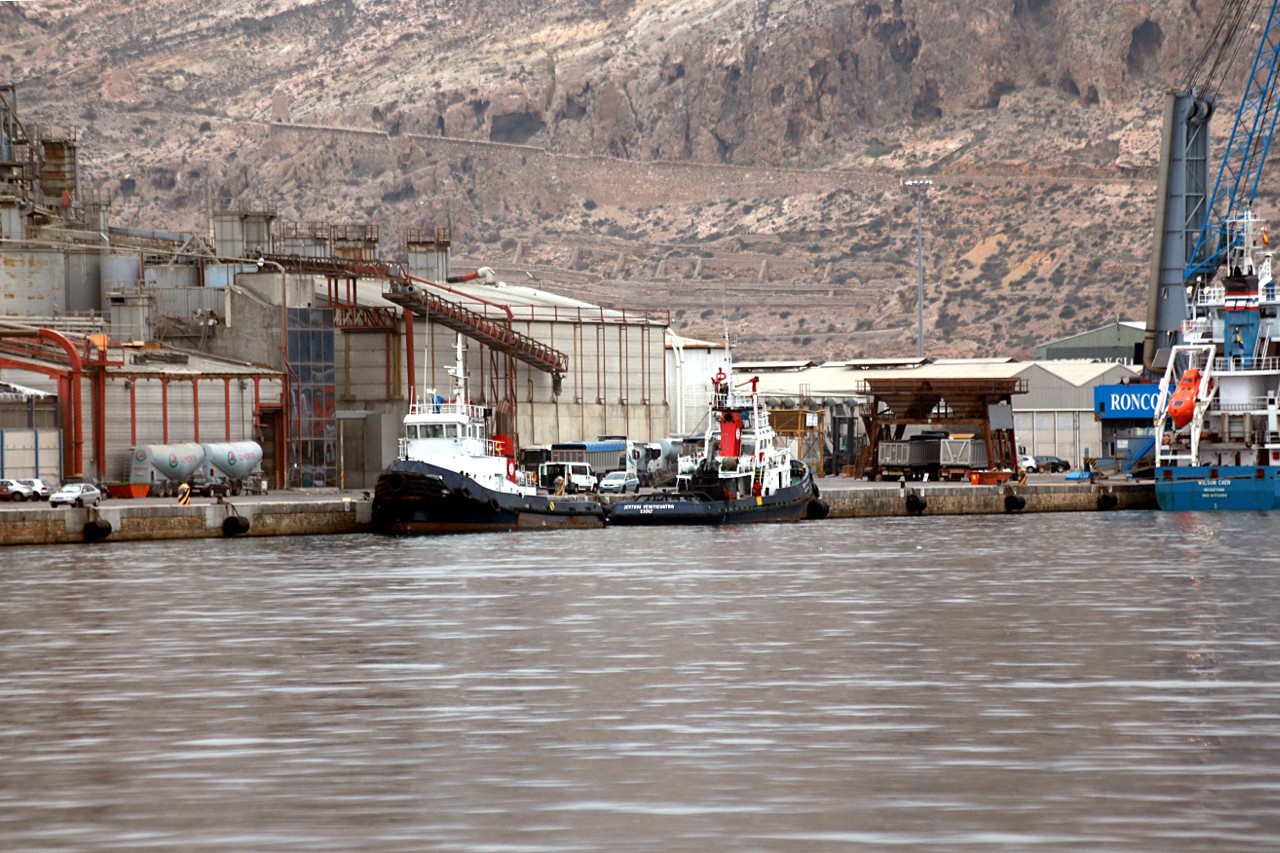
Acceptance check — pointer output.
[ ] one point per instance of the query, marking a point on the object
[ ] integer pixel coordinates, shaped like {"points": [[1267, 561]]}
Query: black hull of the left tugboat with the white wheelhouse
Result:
{"points": [[419, 499]]}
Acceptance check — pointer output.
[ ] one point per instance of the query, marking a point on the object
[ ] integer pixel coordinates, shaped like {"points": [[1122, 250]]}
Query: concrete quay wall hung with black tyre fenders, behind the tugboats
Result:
{"points": [[326, 513]]}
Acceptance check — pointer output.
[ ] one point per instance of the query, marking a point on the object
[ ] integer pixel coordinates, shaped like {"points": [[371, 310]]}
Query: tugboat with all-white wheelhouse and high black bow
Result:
{"points": [[450, 477]]}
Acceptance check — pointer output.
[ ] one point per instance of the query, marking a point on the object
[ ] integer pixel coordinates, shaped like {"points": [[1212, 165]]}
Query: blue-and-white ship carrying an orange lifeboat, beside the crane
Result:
{"points": [[1218, 434]]}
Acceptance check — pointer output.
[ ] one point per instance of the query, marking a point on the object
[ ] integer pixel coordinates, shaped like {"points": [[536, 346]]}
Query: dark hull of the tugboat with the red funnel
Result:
{"points": [[792, 504]]}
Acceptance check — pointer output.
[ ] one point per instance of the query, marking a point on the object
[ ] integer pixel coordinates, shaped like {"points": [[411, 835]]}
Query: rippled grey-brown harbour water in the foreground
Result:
{"points": [[1044, 682]]}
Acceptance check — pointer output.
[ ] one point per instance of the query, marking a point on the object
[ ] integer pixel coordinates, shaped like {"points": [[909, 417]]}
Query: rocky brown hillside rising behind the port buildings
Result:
{"points": [[734, 162]]}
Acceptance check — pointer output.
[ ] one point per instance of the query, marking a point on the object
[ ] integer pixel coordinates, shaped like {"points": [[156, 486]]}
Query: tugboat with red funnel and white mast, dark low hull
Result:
{"points": [[743, 473]]}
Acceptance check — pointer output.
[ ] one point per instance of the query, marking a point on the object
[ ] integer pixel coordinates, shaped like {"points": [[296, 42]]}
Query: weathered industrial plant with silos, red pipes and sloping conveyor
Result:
{"points": [[296, 336]]}
